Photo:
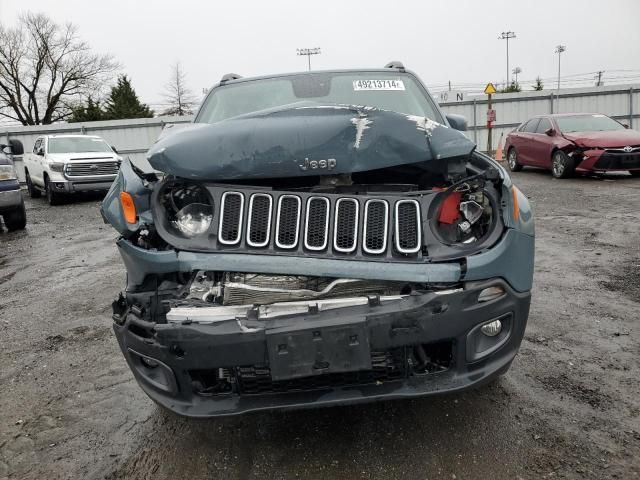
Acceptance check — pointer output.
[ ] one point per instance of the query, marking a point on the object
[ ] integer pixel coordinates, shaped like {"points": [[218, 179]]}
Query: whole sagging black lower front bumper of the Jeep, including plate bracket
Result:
{"points": [[420, 344]]}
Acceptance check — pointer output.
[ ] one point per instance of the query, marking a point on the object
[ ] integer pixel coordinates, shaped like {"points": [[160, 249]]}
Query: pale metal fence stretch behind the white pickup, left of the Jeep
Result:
{"points": [[132, 138]]}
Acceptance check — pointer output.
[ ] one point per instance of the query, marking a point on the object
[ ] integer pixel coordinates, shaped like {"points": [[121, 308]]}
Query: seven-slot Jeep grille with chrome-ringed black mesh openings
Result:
{"points": [[286, 222]]}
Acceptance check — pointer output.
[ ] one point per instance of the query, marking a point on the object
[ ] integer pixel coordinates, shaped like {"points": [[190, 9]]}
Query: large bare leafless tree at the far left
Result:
{"points": [[45, 69]]}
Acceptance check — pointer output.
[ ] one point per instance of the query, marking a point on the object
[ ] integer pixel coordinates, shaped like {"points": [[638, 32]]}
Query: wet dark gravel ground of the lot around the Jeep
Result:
{"points": [[568, 408]]}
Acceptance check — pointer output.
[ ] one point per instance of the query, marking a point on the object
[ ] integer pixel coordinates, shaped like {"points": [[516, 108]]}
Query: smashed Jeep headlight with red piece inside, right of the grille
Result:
{"points": [[466, 213]]}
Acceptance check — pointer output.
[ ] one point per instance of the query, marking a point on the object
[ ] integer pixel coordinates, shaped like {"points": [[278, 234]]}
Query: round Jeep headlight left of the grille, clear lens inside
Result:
{"points": [[189, 208]]}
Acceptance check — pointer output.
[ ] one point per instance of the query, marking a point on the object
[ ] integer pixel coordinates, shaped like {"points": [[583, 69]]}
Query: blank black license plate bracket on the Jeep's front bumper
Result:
{"points": [[306, 351]]}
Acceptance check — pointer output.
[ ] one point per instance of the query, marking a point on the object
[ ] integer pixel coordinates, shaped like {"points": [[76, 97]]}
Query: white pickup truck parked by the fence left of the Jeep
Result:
{"points": [[64, 164]]}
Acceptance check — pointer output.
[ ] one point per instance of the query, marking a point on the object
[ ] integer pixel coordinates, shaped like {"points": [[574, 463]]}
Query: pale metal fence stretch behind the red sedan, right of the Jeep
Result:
{"points": [[621, 102]]}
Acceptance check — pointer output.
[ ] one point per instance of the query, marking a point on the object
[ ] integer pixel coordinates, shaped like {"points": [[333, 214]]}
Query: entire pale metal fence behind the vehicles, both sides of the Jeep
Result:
{"points": [[133, 138]]}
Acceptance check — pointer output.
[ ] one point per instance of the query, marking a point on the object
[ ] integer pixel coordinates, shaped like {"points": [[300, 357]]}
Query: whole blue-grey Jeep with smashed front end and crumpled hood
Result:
{"points": [[316, 239]]}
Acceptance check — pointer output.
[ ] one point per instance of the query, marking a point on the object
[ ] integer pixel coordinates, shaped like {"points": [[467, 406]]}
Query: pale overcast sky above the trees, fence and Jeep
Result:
{"points": [[441, 40]]}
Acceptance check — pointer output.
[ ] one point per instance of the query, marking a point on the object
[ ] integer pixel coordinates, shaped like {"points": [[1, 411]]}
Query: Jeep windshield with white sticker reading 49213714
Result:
{"points": [[385, 90]]}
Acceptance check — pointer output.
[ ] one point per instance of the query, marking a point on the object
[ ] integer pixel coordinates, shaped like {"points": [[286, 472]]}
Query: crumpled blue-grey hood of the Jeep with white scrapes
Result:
{"points": [[305, 140]]}
